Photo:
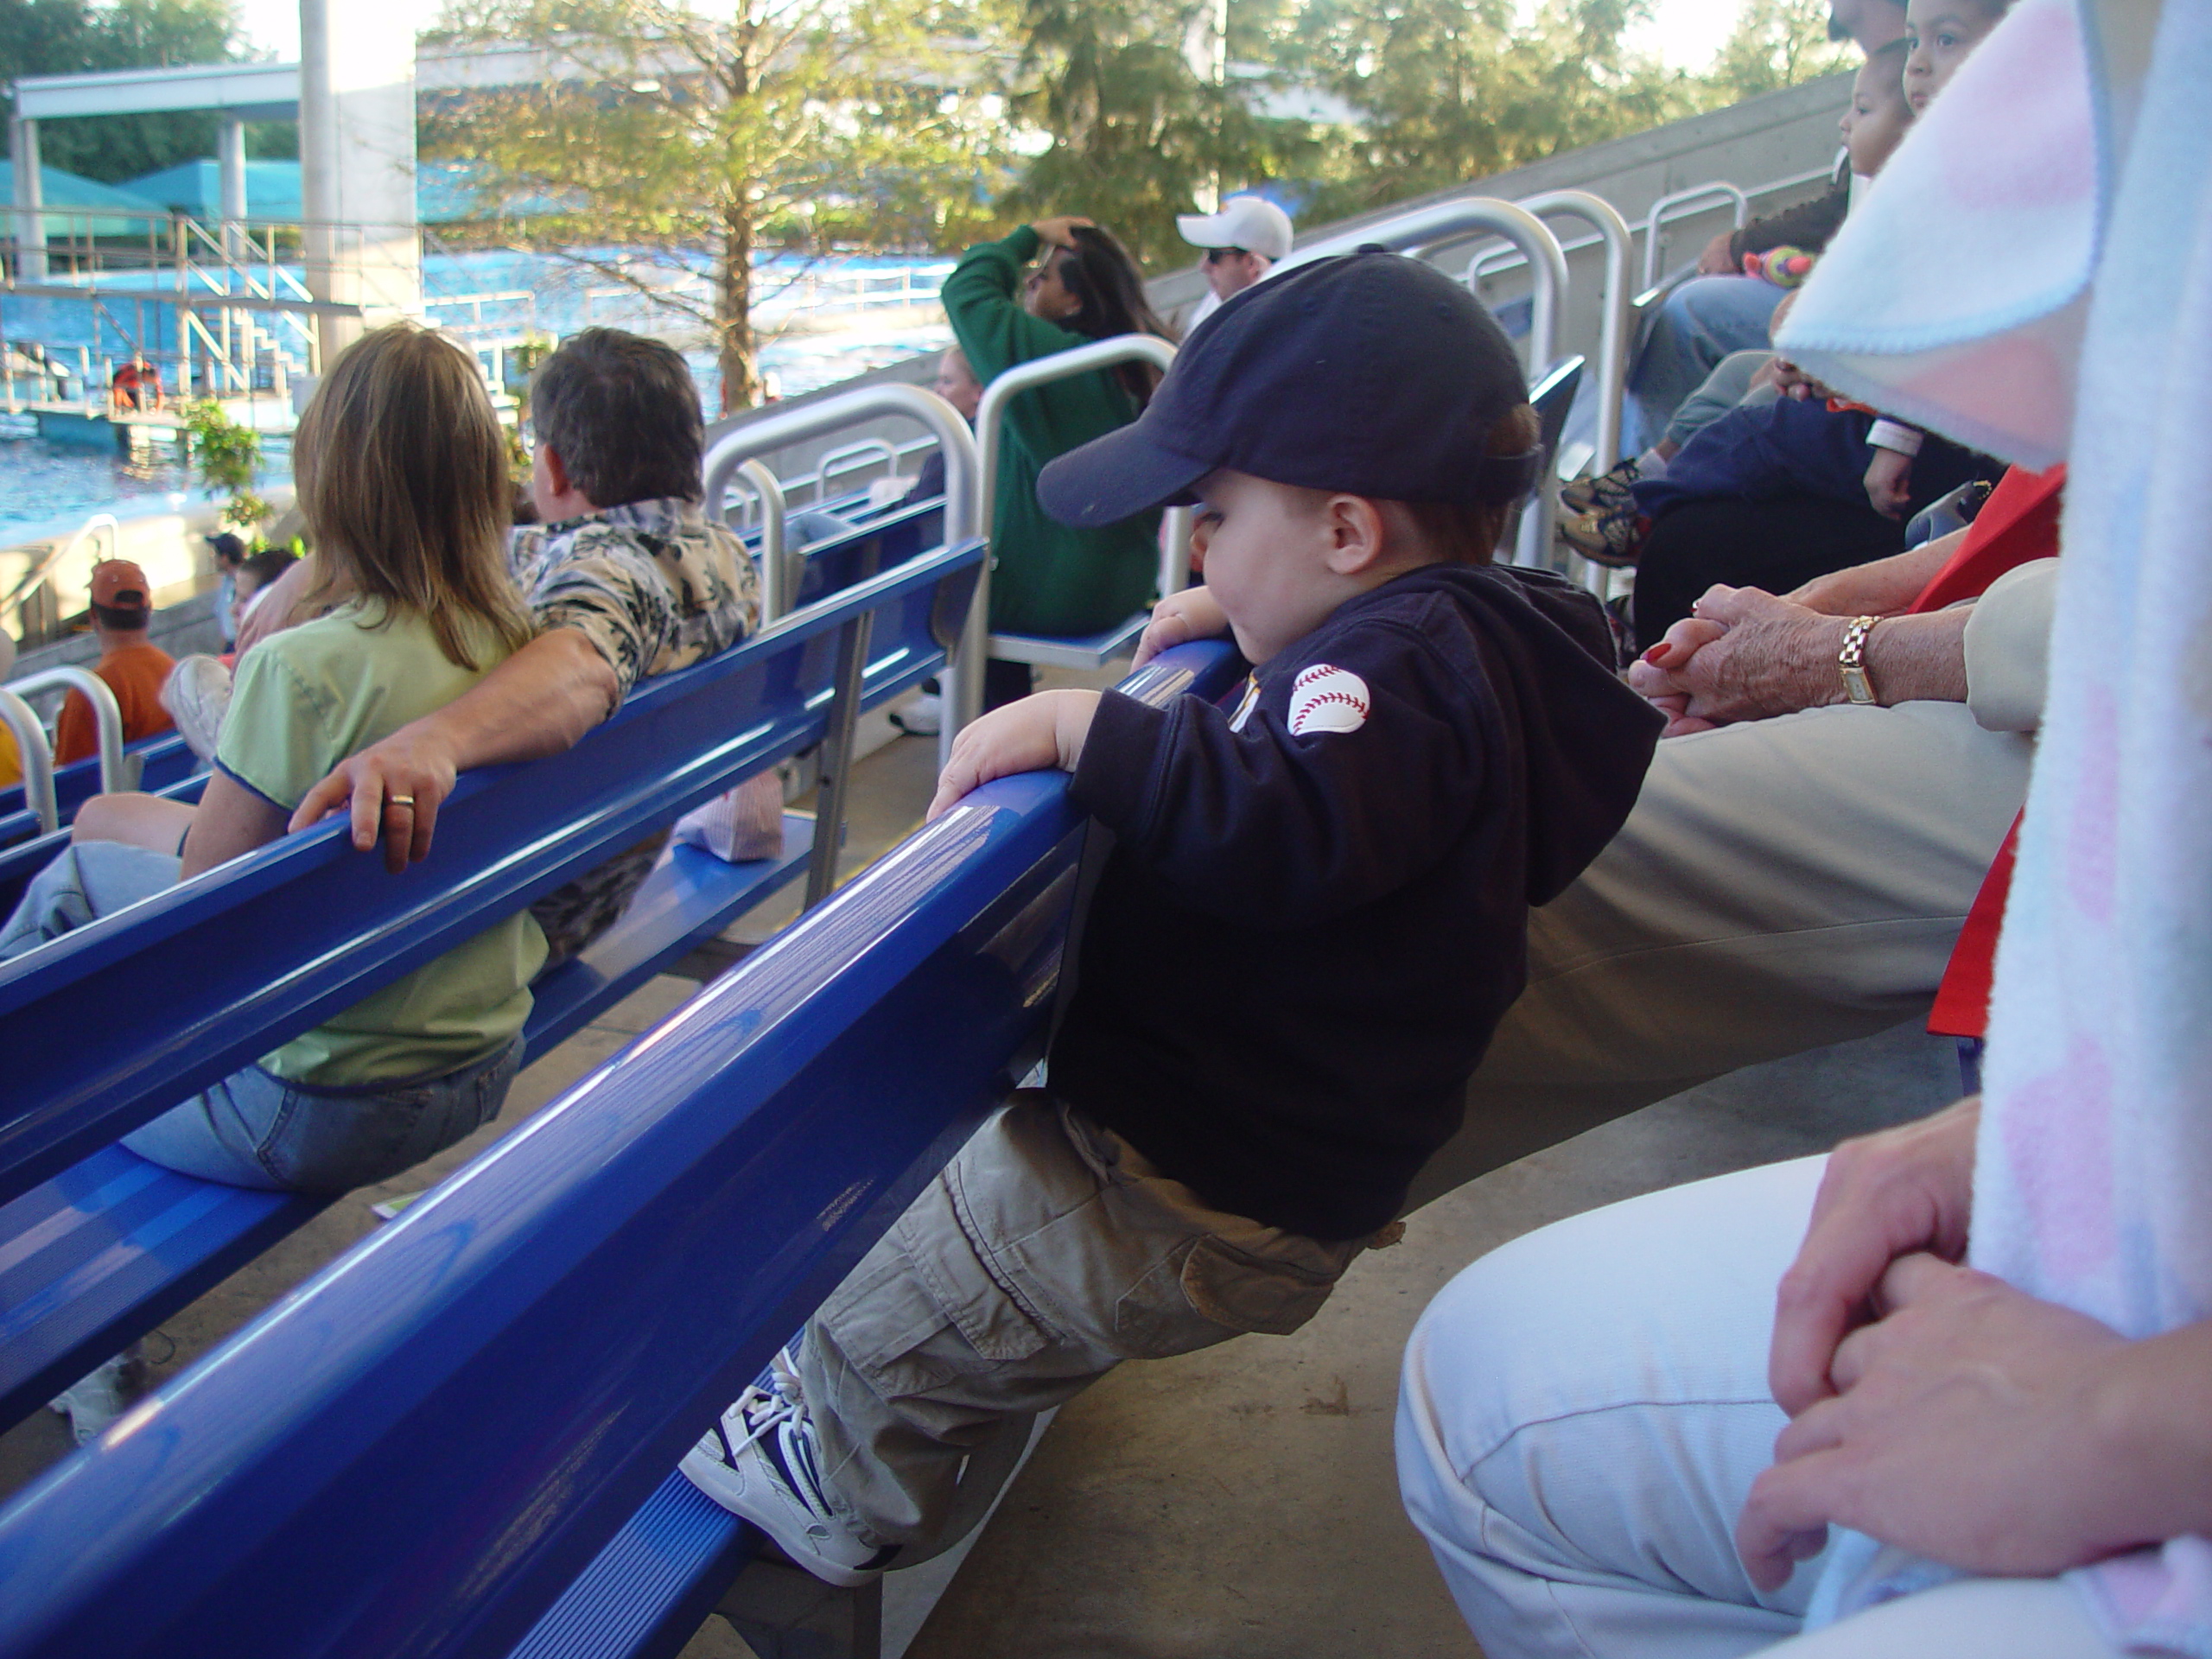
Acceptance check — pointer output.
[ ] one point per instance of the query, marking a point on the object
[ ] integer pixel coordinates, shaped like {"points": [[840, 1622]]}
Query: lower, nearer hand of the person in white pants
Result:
{"points": [[1968, 1428]]}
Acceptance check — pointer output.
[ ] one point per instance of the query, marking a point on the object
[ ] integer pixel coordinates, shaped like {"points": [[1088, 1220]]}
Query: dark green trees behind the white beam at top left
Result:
{"points": [[72, 36]]}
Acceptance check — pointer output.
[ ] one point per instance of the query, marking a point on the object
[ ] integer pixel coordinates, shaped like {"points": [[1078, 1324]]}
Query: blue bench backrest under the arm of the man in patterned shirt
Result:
{"points": [[273, 943]]}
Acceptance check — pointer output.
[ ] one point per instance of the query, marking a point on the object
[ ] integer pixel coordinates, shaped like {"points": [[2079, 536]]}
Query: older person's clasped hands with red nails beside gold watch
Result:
{"points": [[1742, 656]]}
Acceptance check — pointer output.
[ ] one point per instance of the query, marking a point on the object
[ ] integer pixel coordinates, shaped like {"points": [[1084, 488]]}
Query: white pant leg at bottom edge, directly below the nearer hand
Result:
{"points": [[1965, 1620]]}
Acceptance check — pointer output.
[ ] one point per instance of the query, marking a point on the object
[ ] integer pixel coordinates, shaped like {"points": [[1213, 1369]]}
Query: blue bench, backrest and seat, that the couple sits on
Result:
{"points": [[96, 1244]]}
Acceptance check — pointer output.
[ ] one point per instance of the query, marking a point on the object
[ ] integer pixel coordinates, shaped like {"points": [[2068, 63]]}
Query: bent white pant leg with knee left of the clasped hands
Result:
{"points": [[1583, 1415]]}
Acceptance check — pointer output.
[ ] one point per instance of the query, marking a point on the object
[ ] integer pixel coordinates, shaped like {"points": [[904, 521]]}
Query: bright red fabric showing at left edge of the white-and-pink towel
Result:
{"points": [[2018, 523]]}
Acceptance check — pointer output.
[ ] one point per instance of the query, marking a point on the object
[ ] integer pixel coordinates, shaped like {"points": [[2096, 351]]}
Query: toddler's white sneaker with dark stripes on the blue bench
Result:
{"points": [[760, 1463]]}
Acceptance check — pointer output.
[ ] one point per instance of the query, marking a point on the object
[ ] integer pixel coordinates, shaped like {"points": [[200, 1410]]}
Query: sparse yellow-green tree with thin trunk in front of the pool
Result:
{"points": [[766, 125]]}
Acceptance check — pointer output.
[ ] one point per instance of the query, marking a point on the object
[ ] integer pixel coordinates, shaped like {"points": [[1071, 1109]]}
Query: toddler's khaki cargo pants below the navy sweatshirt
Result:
{"points": [[1041, 1258]]}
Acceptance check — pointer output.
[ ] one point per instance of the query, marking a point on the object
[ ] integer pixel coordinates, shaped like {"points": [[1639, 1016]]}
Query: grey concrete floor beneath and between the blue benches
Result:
{"points": [[1238, 1501]]}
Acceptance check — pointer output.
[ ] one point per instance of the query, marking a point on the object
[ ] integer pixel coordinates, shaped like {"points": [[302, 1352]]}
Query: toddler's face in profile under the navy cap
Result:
{"points": [[1266, 559]]}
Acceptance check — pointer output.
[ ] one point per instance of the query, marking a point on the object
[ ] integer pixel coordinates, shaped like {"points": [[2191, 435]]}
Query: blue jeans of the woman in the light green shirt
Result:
{"points": [[258, 1129]]}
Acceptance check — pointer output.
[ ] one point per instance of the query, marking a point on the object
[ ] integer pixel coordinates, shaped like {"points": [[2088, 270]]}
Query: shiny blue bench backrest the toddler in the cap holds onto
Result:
{"points": [[421, 1448]]}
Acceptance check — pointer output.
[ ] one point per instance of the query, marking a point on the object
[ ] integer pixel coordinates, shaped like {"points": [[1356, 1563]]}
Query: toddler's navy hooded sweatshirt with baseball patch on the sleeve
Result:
{"points": [[1317, 906]]}
